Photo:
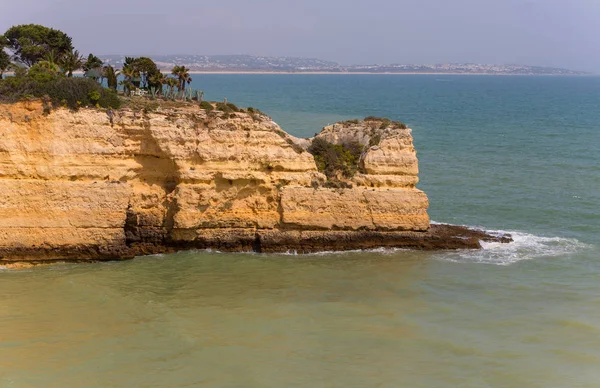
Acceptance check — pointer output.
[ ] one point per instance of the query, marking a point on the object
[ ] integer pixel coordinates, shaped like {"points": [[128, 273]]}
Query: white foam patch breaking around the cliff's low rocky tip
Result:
{"points": [[525, 246]]}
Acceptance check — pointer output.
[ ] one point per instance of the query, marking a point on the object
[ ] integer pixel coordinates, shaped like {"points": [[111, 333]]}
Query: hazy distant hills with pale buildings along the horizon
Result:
{"points": [[251, 63]]}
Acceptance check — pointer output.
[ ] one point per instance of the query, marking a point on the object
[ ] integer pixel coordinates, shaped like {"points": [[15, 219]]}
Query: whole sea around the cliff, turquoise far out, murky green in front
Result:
{"points": [[517, 154]]}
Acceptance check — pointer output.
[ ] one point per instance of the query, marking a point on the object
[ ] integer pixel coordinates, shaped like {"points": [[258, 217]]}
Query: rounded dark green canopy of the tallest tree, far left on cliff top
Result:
{"points": [[29, 43]]}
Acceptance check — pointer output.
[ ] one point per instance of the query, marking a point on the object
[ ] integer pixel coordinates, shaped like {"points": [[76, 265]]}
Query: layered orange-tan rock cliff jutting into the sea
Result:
{"points": [[89, 185]]}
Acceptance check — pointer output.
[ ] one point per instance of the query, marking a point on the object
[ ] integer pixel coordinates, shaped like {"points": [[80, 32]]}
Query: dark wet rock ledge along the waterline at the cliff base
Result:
{"points": [[438, 237]]}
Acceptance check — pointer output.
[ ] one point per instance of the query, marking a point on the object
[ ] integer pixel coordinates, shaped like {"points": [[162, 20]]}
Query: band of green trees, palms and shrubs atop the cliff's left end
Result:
{"points": [[43, 61]]}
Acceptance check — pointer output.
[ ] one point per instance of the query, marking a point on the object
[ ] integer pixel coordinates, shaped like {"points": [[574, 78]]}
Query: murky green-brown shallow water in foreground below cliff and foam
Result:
{"points": [[377, 319]]}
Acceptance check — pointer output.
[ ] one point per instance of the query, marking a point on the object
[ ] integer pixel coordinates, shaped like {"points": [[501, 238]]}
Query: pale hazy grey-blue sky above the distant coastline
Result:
{"points": [[562, 33]]}
